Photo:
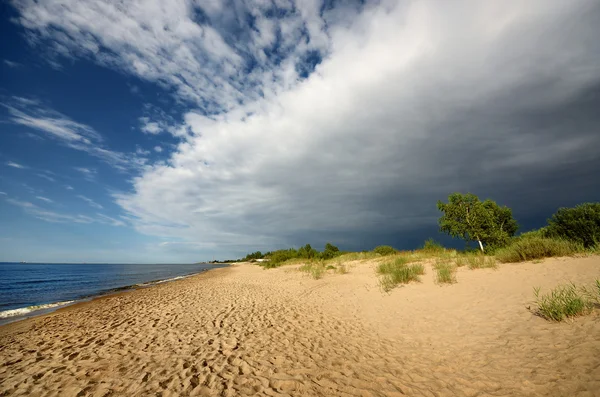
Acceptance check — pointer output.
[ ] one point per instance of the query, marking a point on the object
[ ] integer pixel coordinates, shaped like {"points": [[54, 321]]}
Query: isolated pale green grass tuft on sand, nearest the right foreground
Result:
{"points": [[563, 302]]}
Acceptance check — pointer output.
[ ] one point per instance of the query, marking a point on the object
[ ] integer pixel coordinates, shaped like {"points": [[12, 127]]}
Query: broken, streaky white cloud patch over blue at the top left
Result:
{"points": [[213, 65]]}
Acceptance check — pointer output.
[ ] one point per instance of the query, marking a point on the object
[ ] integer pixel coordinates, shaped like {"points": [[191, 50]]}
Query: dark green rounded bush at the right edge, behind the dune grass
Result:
{"points": [[580, 224]]}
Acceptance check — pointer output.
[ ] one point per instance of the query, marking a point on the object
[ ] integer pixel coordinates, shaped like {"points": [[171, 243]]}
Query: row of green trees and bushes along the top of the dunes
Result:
{"points": [[491, 226]]}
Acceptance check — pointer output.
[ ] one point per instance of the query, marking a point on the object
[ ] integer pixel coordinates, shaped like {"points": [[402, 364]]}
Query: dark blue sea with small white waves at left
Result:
{"points": [[30, 289]]}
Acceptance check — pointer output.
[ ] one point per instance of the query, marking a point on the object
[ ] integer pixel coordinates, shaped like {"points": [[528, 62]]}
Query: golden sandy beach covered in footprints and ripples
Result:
{"points": [[248, 331]]}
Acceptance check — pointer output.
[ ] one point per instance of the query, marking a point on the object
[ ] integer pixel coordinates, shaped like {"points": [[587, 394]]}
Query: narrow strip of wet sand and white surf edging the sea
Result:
{"points": [[53, 307]]}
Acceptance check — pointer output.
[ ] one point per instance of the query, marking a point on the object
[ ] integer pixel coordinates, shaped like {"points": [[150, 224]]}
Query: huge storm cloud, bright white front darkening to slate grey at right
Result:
{"points": [[408, 102]]}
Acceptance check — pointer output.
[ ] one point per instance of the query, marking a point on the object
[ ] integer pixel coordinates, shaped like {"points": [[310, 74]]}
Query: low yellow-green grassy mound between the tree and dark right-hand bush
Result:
{"points": [[526, 249]]}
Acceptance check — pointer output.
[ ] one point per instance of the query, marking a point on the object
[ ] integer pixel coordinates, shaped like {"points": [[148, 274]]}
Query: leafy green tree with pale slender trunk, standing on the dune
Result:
{"points": [[466, 217]]}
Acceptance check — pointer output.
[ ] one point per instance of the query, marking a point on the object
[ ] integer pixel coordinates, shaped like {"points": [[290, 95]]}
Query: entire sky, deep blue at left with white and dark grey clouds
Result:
{"points": [[182, 131]]}
